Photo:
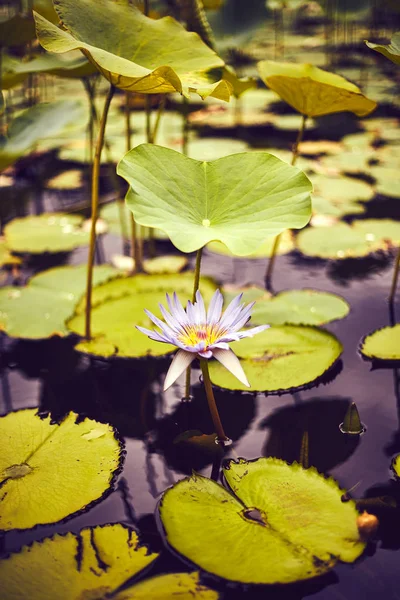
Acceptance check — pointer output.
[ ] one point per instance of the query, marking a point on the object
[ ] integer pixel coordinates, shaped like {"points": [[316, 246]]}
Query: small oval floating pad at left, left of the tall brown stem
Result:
{"points": [[49, 232]]}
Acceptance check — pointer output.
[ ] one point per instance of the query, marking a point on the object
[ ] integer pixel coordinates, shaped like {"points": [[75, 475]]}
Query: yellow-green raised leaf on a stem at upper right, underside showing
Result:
{"points": [[312, 91]]}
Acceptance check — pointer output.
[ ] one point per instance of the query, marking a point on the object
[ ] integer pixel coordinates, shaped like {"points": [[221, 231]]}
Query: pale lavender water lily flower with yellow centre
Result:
{"points": [[202, 334]]}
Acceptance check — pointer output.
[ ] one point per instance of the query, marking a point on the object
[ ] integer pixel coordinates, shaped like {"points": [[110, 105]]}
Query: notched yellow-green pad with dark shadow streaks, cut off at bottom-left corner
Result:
{"points": [[108, 557]]}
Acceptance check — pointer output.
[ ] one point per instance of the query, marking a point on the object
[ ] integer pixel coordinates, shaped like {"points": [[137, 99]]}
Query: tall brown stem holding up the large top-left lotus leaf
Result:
{"points": [[95, 208]]}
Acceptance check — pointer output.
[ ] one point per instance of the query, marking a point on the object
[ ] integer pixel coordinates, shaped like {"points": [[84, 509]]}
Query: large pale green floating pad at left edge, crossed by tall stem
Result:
{"points": [[40, 309]]}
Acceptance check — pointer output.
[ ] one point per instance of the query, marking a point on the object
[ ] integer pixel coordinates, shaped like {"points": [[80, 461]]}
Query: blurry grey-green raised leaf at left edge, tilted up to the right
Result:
{"points": [[35, 123]]}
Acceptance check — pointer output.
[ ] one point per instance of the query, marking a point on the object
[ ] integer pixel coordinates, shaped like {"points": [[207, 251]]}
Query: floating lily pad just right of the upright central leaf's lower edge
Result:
{"points": [[336, 242]]}
